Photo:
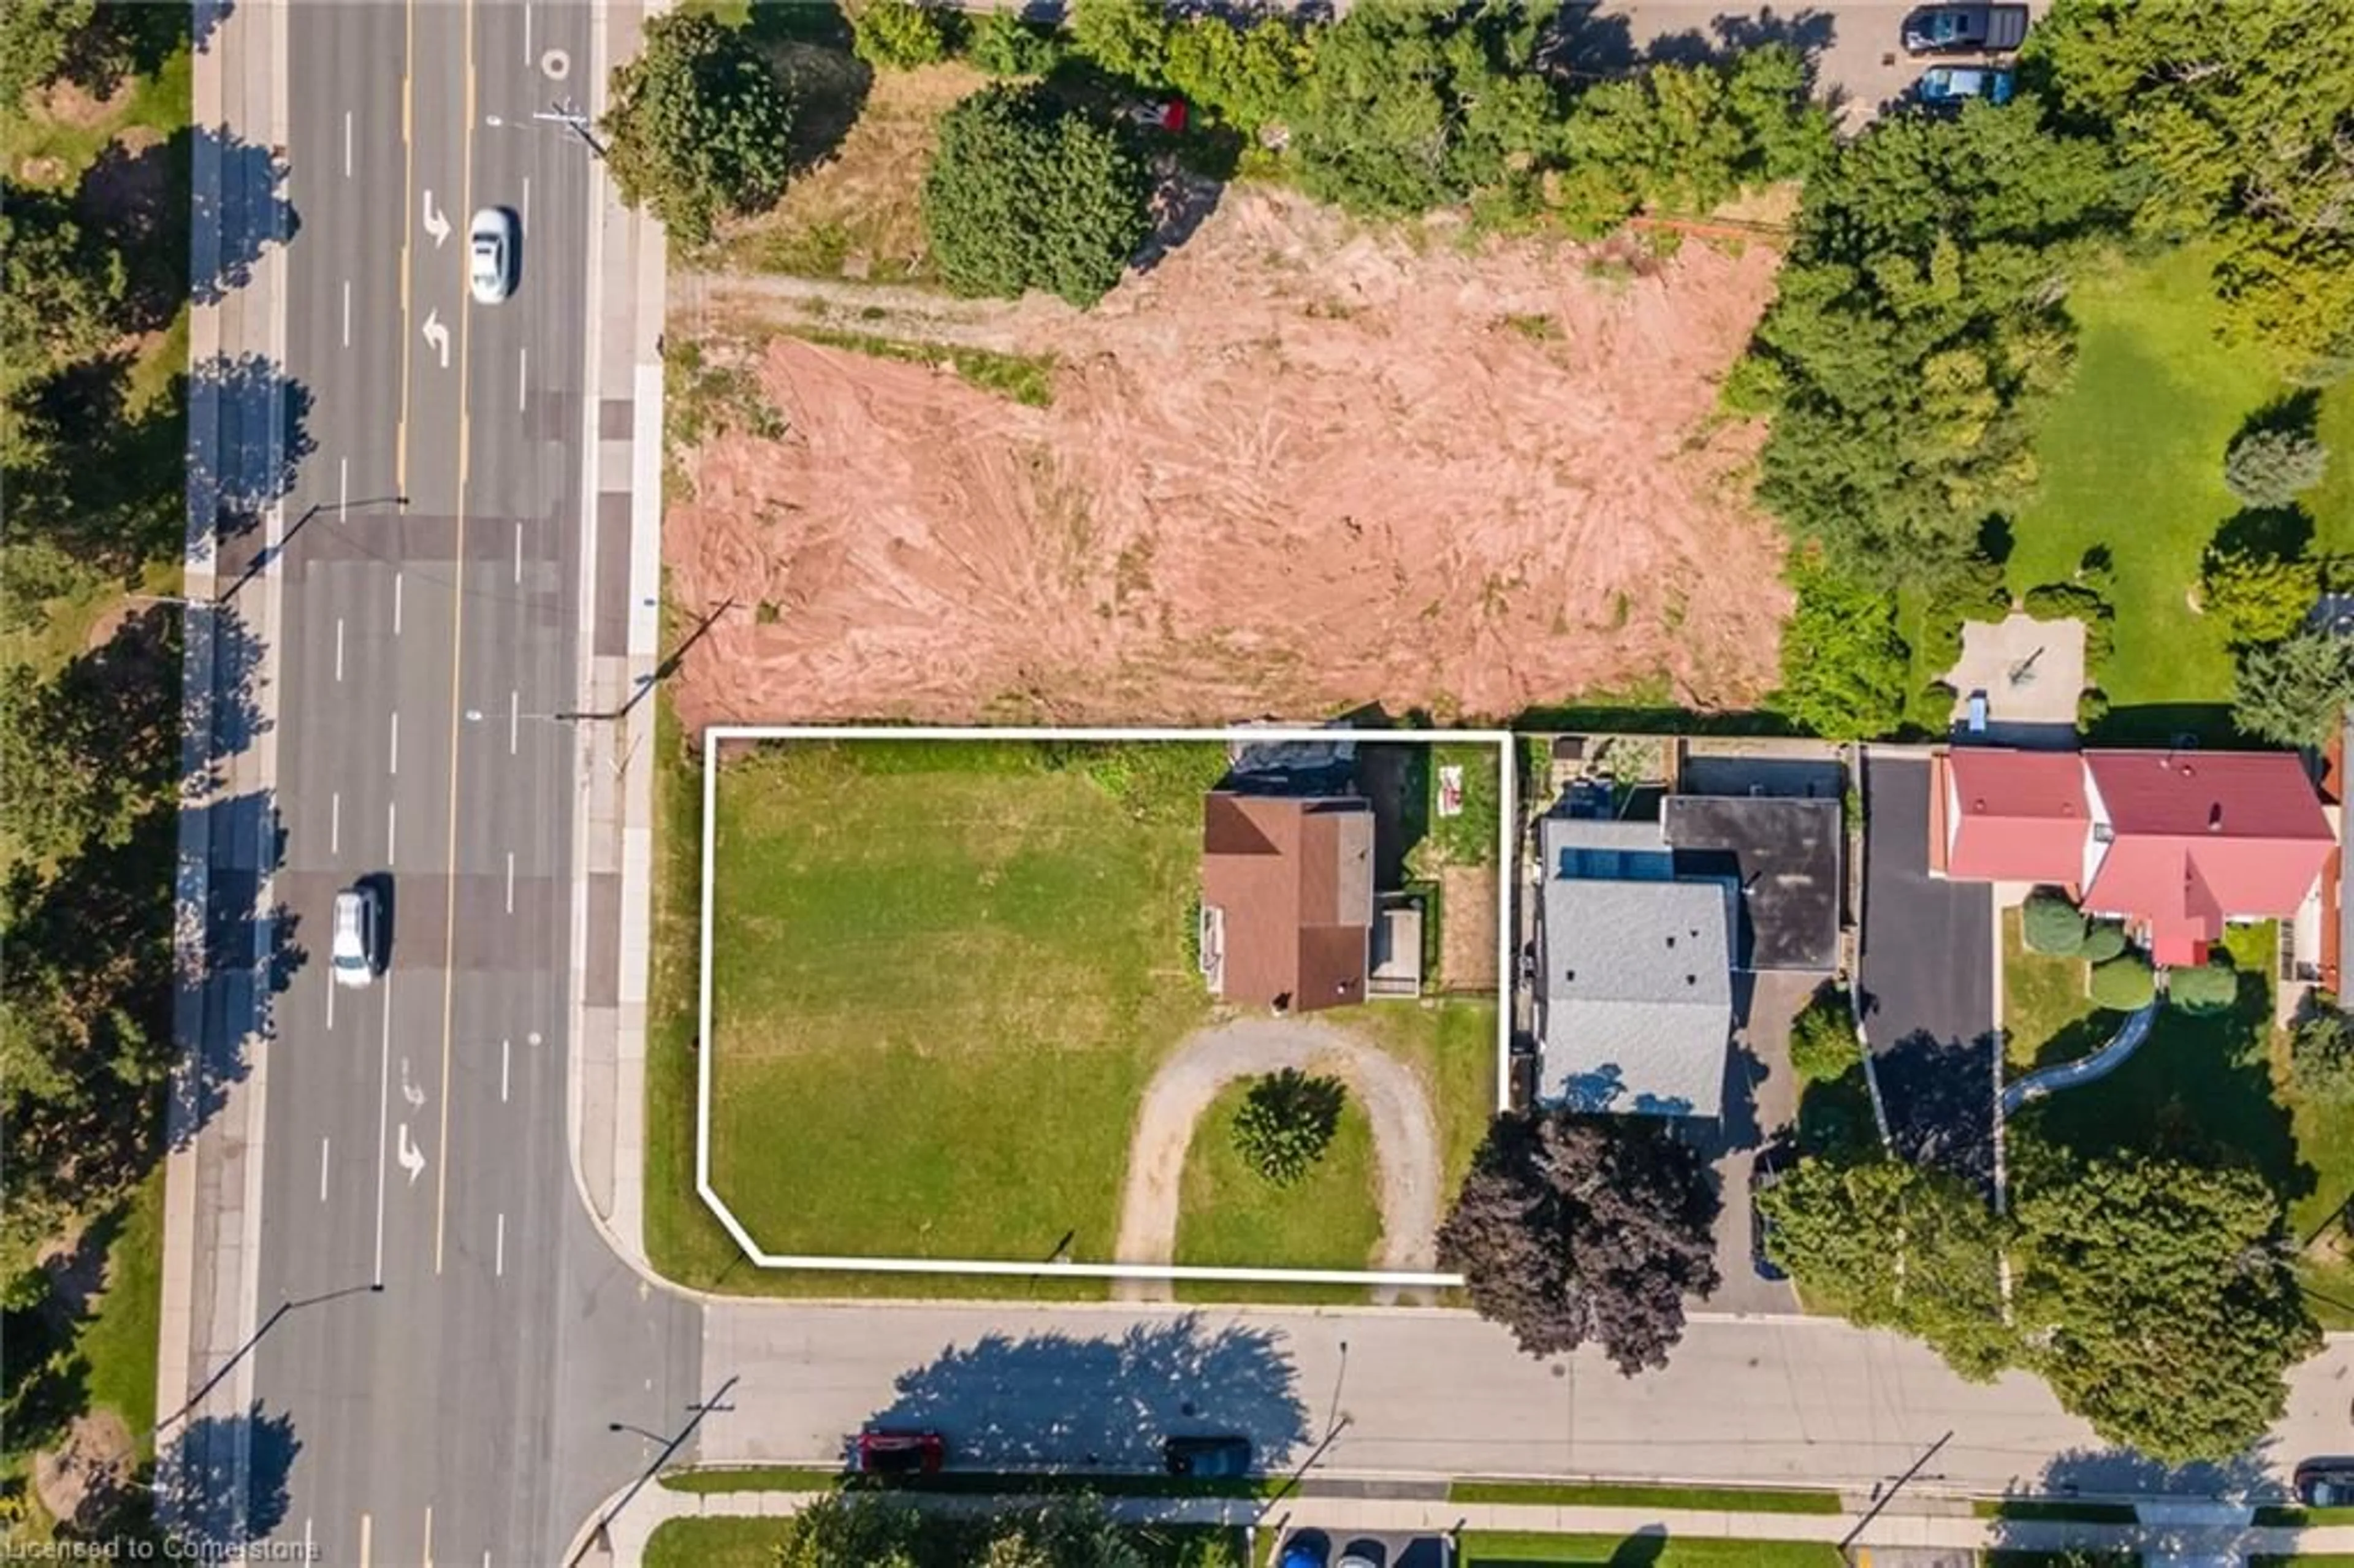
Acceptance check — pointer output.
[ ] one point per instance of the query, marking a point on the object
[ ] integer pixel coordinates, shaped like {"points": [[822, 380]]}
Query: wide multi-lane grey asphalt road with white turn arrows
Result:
{"points": [[418, 1129]]}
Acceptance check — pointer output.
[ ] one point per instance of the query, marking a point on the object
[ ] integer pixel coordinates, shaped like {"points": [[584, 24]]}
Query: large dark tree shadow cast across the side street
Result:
{"points": [[1060, 1402]]}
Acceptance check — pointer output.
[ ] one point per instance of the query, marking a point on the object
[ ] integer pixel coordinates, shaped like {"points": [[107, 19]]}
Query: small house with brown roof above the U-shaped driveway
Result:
{"points": [[1286, 898]]}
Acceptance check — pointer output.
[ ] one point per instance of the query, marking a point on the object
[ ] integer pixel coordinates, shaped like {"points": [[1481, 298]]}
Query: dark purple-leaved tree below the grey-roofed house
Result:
{"points": [[1585, 1230]]}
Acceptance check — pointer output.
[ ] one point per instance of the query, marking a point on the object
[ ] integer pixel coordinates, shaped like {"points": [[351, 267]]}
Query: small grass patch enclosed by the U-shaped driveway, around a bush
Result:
{"points": [[1235, 1216]]}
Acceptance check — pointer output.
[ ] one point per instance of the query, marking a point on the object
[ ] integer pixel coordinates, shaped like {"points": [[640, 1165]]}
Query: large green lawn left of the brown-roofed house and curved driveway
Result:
{"points": [[940, 983]]}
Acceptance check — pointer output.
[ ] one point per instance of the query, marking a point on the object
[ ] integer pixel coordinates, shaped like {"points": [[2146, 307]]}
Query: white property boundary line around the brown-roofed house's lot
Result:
{"points": [[1508, 886]]}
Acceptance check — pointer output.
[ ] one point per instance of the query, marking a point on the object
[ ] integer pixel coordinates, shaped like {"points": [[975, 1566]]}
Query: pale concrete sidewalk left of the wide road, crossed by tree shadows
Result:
{"points": [[225, 931]]}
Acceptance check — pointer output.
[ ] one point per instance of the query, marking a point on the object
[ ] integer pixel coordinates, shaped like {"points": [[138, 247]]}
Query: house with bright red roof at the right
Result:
{"points": [[2174, 844]]}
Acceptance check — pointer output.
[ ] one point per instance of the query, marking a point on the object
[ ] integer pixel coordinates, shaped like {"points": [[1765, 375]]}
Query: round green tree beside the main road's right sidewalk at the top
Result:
{"points": [[698, 126]]}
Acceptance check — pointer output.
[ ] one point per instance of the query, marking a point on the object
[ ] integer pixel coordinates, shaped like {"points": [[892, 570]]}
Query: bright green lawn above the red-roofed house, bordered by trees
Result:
{"points": [[2132, 460]]}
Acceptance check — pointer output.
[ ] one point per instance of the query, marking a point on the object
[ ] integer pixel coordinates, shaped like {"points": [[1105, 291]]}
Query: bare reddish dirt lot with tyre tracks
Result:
{"points": [[1289, 470]]}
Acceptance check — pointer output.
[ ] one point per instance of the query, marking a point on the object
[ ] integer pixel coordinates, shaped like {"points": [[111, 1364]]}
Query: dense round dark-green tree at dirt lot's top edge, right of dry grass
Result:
{"points": [[1028, 192]]}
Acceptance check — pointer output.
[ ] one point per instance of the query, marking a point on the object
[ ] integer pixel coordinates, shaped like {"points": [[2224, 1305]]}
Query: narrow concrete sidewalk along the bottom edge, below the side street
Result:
{"points": [[2167, 1532]]}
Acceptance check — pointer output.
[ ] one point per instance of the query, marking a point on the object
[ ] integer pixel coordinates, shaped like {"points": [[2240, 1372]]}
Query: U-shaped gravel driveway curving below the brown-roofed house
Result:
{"points": [[1404, 1134]]}
